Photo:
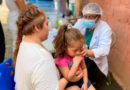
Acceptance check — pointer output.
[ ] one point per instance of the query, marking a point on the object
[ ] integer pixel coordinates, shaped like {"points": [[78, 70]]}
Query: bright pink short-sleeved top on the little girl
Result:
{"points": [[64, 61]]}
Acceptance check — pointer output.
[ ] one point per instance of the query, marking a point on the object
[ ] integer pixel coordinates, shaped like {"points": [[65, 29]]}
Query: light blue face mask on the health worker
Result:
{"points": [[88, 23]]}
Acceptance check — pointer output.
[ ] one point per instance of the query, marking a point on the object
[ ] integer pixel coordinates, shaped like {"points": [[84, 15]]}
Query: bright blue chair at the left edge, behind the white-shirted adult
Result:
{"points": [[7, 75]]}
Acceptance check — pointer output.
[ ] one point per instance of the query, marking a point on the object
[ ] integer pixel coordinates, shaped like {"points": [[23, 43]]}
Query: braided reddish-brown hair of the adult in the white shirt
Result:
{"points": [[30, 17]]}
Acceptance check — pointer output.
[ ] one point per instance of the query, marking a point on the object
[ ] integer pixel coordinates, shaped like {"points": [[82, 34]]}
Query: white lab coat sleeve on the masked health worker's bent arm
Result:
{"points": [[104, 43]]}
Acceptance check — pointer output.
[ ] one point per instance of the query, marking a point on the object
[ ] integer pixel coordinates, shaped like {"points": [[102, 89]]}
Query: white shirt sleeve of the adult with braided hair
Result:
{"points": [[44, 76]]}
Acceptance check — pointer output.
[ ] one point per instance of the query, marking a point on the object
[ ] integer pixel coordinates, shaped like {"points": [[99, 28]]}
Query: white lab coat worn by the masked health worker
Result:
{"points": [[100, 44]]}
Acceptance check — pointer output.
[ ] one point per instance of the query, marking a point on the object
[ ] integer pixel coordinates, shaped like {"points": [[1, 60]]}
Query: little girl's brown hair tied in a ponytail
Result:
{"points": [[64, 38]]}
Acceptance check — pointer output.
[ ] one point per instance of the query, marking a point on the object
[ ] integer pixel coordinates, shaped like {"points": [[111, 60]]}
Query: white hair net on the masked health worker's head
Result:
{"points": [[92, 8]]}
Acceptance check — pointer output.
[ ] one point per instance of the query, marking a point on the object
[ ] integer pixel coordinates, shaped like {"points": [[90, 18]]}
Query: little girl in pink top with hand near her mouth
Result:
{"points": [[68, 46]]}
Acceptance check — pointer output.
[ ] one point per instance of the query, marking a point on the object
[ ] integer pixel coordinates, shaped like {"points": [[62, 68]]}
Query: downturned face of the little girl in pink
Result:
{"points": [[75, 48]]}
